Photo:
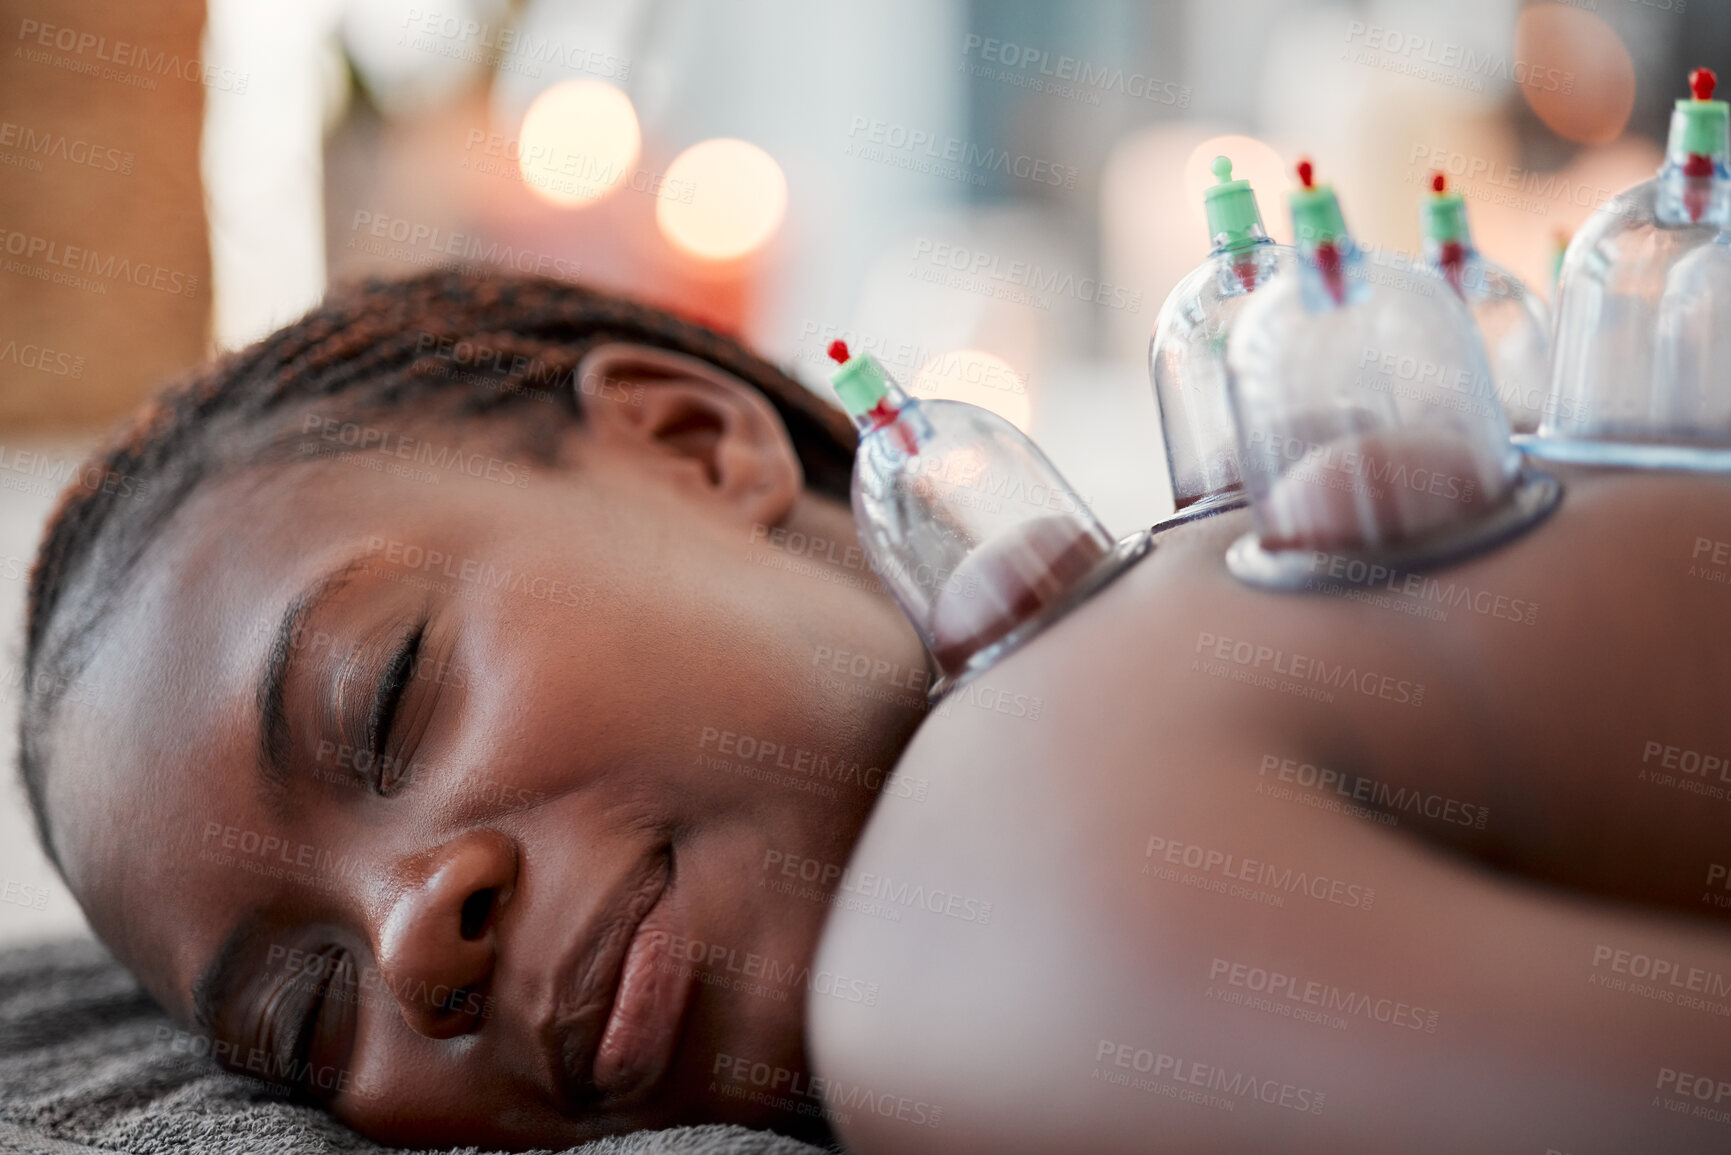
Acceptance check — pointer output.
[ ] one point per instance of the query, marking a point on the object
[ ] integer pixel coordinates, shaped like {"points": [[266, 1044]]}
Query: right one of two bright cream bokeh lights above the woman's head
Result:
{"points": [[738, 200]]}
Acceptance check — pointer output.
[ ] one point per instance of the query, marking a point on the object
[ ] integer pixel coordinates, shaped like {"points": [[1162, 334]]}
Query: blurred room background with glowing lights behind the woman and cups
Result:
{"points": [[994, 197]]}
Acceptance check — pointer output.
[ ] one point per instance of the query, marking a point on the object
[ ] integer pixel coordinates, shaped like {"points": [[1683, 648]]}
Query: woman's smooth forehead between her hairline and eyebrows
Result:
{"points": [[162, 745]]}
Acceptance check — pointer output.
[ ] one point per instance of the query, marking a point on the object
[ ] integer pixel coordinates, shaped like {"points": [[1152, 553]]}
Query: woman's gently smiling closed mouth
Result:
{"points": [[626, 1054]]}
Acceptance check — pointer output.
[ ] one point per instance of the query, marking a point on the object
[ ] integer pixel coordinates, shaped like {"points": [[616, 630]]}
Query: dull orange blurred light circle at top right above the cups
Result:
{"points": [[1576, 74]]}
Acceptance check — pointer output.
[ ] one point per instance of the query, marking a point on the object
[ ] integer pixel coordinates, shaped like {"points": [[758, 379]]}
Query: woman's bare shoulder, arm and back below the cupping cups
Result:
{"points": [[1138, 829]]}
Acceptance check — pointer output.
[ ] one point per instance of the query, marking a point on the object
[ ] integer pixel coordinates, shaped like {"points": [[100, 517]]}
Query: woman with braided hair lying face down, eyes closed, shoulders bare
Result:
{"points": [[482, 761]]}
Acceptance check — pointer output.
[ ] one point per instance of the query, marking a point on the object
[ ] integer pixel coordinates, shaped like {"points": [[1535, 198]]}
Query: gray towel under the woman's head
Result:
{"points": [[87, 1066]]}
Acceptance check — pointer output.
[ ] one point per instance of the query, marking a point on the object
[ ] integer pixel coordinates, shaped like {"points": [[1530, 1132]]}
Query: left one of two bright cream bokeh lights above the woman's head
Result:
{"points": [[579, 143]]}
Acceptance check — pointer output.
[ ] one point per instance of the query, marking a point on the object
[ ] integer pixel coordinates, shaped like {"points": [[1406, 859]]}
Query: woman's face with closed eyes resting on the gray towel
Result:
{"points": [[463, 803]]}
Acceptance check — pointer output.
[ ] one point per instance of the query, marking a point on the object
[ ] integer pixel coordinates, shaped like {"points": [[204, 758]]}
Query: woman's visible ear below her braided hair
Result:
{"points": [[709, 432]]}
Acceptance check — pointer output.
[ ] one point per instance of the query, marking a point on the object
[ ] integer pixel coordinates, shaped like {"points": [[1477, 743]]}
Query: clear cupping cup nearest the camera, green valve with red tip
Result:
{"points": [[1368, 416]]}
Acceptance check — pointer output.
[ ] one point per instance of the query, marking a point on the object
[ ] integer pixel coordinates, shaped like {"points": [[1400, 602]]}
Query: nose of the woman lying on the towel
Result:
{"points": [[437, 941]]}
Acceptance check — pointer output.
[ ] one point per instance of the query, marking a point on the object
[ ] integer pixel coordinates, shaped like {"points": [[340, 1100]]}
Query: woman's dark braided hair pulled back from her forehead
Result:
{"points": [[373, 349]]}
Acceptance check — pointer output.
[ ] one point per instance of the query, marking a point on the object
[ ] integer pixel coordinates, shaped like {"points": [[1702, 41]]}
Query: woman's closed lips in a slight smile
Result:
{"points": [[624, 1000]]}
